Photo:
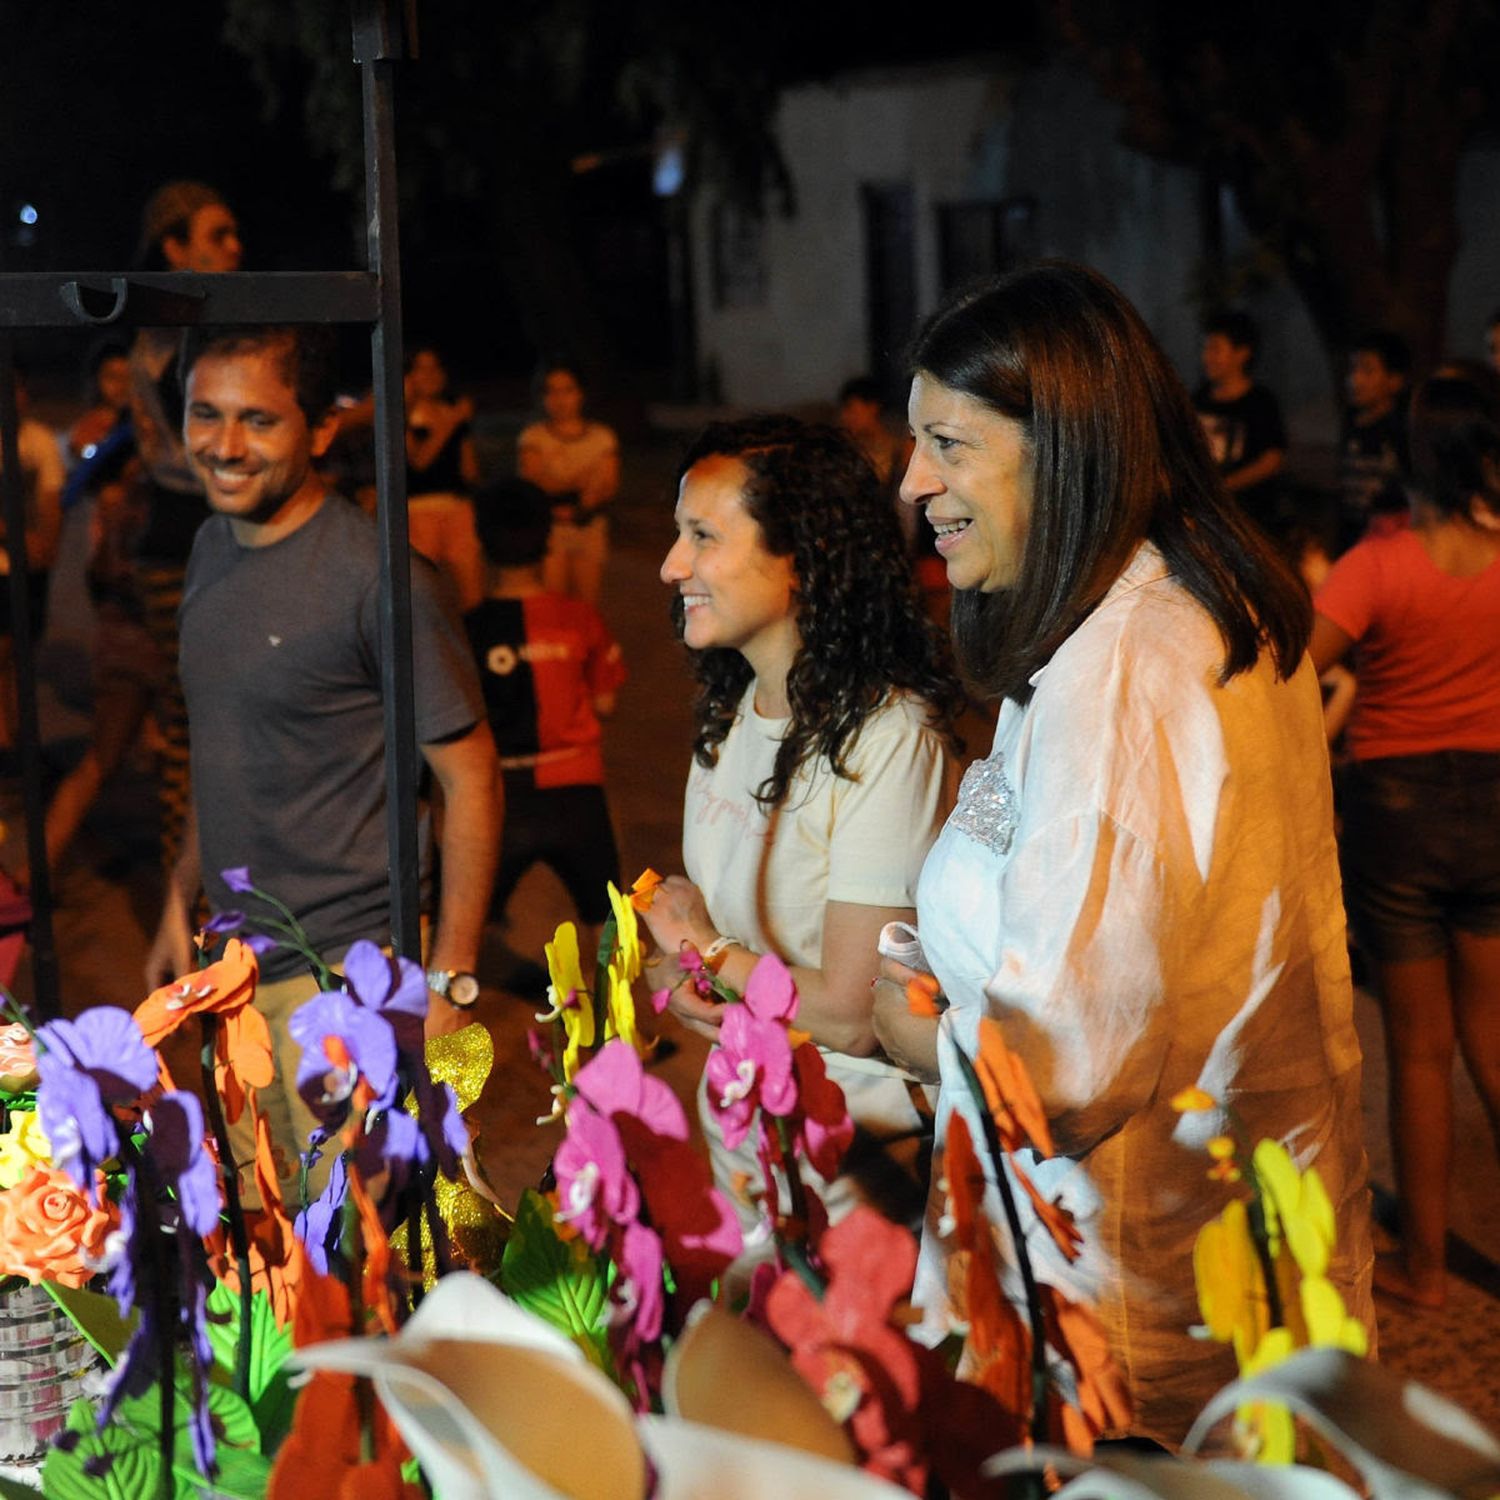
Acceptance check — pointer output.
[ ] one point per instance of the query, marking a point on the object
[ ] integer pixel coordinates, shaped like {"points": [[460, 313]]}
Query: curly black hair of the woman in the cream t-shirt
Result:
{"points": [[859, 616]]}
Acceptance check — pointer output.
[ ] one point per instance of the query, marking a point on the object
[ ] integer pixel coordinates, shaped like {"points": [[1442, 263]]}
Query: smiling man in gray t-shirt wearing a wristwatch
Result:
{"points": [[281, 668]]}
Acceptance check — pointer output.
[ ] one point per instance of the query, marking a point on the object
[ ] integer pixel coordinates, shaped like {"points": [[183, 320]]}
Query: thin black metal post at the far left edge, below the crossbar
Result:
{"points": [[28, 727]]}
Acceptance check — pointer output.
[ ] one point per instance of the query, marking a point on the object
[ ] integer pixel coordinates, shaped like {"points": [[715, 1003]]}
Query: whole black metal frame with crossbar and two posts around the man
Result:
{"points": [[385, 34]]}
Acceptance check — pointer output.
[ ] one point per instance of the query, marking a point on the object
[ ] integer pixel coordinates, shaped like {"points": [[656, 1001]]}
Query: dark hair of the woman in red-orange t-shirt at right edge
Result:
{"points": [[1456, 439]]}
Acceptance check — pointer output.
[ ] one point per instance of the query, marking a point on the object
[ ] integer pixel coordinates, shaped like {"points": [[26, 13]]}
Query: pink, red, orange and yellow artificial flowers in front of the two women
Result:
{"points": [[635, 1232]]}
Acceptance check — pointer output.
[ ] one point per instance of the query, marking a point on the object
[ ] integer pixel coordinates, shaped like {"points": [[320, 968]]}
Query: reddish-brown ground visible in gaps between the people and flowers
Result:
{"points": [[109, 904]]}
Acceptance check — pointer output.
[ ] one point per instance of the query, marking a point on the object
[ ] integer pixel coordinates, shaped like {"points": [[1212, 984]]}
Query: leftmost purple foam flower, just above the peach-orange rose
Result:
{"points": [[83, 1067]]}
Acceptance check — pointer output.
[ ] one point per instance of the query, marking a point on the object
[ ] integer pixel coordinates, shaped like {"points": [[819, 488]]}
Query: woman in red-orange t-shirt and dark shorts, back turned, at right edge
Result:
{"points": [[1420, 611]]}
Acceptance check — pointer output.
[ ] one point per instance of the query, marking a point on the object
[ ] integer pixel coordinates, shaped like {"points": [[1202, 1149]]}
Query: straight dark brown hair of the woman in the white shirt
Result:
{"points": [[1118, 458]]}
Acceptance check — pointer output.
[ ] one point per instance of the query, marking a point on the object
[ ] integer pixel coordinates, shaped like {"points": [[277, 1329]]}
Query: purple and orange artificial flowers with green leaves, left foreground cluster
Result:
{"points": [[205, 1301]]}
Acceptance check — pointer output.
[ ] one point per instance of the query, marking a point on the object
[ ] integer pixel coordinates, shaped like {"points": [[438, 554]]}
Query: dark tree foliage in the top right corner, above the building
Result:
{"points": [[1339, 127]]}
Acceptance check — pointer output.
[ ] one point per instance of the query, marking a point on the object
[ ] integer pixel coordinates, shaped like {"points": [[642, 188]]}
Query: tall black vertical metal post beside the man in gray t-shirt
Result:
{"points": [[377, 46]]}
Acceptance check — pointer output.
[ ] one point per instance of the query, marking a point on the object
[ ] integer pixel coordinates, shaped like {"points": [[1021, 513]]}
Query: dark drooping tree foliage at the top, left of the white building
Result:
{"points": [[503, 100]]}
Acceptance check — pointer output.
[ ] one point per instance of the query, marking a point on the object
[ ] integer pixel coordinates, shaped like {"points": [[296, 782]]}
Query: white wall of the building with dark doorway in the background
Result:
{"points": [[971, 133]]}
